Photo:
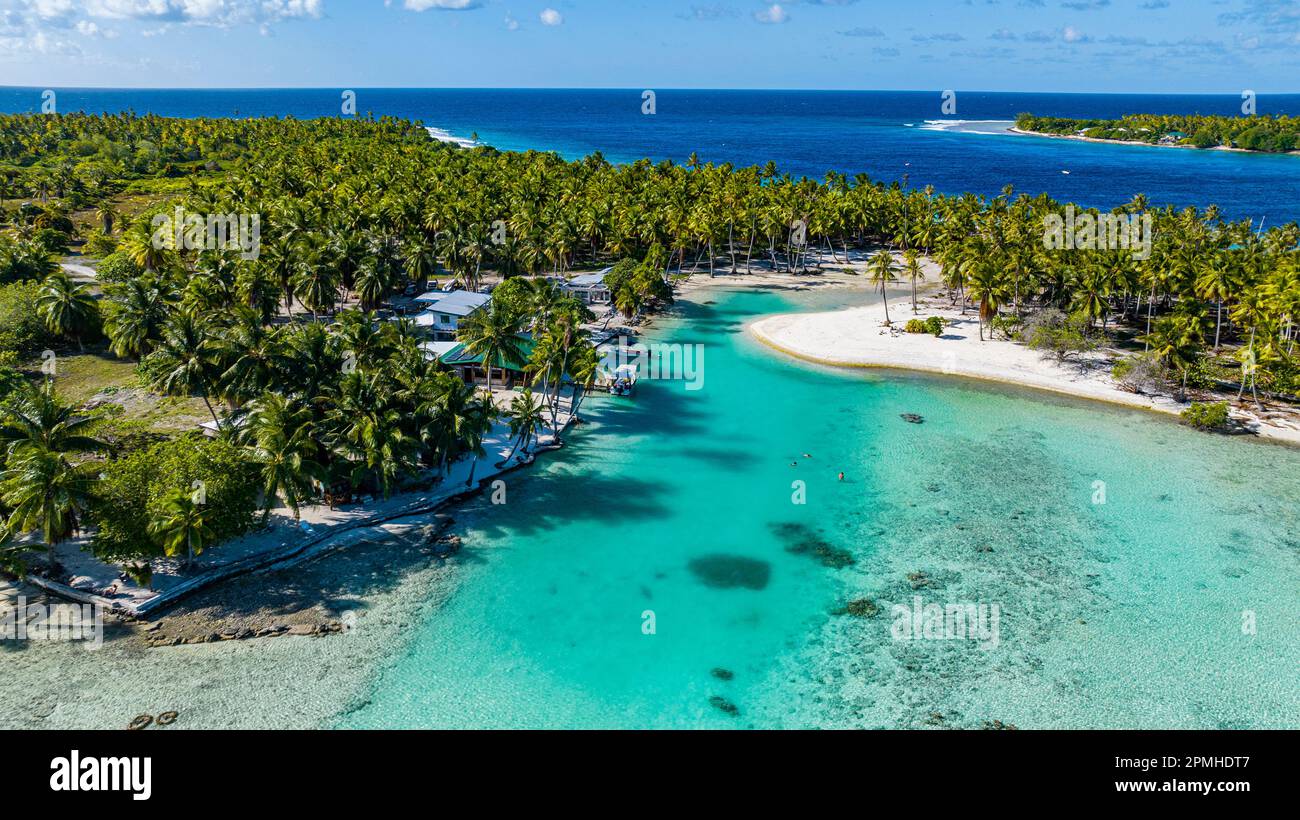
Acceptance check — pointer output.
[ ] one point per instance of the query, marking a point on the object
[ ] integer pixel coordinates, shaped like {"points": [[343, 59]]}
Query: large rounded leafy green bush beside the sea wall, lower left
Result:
{"points": [[135, 491]]}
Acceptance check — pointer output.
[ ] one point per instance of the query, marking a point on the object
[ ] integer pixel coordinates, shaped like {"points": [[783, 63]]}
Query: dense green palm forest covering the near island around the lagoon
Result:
{"points": [[354, 211]]}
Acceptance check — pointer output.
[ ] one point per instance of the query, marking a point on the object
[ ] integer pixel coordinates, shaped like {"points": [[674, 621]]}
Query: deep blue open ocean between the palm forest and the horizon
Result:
{"points": [[883, 135]]}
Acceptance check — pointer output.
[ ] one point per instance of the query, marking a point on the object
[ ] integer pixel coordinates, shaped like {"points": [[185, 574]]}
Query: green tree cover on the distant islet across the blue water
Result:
{"points": [[1272, 135]]}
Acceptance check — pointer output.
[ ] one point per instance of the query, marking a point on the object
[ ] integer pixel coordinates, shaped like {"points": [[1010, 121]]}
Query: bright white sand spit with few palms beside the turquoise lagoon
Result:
{"points": [[860, 339]]}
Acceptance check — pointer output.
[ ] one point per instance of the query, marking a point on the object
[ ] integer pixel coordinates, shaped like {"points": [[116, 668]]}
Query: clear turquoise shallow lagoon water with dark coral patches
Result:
{"points": [[1119, 614]]}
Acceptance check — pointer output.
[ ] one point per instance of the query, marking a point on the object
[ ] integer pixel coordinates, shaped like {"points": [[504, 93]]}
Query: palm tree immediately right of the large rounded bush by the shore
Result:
{"points": [[280, 436]]}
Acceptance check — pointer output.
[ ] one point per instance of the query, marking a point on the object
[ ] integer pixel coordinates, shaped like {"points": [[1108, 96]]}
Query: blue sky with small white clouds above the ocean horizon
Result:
{"points": [[1141, 46]]}
